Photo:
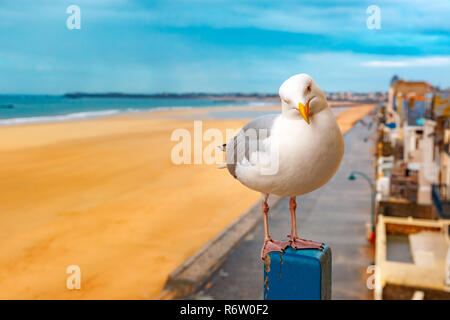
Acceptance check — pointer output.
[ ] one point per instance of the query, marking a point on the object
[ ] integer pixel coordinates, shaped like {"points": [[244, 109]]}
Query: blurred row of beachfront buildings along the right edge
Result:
{"points": [[413, 193]]}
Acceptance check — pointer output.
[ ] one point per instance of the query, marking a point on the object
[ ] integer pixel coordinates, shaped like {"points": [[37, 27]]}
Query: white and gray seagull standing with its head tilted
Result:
{"points": [[288, 154]]}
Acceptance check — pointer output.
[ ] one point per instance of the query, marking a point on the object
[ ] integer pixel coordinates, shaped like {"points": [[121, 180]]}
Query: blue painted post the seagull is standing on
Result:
{"points": [[298, 275]]}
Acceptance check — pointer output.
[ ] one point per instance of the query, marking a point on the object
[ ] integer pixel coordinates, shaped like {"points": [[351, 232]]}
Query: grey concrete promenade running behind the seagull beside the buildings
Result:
{"points": [[336, 214]]}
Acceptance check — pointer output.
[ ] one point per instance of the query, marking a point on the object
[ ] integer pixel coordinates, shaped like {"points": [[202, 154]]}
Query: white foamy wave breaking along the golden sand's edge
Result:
{"points": [[61, 118]]}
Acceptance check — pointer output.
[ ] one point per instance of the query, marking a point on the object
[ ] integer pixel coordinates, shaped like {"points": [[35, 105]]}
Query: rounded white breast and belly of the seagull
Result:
{"points": [[302, 157]]}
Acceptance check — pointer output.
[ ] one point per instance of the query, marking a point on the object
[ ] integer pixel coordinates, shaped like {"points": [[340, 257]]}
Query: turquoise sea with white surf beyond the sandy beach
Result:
{"points": [[26, 109]]}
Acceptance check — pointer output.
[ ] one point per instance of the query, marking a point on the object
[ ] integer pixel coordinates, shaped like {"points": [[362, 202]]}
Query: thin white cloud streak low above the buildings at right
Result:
{"points": [[433, 61]]}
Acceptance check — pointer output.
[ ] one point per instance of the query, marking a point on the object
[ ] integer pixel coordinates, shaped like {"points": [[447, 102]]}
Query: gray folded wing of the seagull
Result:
{"points": [[247, 140]]}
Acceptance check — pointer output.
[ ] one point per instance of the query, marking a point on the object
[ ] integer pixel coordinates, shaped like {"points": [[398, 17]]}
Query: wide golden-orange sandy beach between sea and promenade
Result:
{"points": [[104, 194]]}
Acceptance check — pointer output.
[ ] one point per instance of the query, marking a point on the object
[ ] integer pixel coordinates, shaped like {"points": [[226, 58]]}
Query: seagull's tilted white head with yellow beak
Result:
{"points": [[301, 97]]}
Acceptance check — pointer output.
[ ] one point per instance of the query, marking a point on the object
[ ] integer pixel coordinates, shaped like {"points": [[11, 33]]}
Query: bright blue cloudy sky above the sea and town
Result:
{"points": [[219, 46]]}
